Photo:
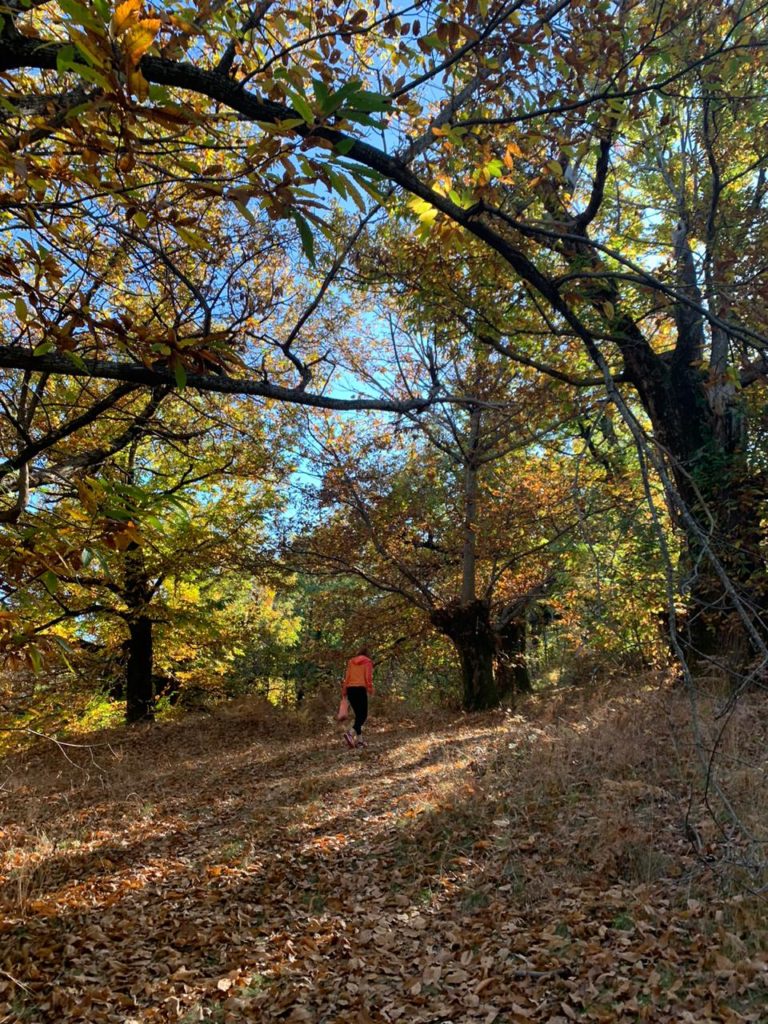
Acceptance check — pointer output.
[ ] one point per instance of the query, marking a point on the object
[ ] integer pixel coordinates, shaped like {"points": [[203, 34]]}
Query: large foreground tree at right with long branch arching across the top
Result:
{"points": [[603, 152]]}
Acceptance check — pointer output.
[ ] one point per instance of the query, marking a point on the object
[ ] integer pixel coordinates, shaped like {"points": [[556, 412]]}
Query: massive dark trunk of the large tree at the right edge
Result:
{"points": [[701, 425]]}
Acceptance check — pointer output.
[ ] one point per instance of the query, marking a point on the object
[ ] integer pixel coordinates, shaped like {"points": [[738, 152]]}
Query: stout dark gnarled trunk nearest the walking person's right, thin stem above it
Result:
{"points": [[468, 627]]}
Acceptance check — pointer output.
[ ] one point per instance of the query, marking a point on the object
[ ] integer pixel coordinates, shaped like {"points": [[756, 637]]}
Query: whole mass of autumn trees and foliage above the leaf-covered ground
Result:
{"points": [[440, 325]]}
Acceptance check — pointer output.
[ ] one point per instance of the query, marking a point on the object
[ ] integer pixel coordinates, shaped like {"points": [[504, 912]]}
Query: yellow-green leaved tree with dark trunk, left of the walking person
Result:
{"points": [[148, 538]]}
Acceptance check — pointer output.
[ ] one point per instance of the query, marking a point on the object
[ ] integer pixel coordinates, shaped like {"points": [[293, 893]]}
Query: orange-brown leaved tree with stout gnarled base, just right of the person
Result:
{"points": [[461, 514]]}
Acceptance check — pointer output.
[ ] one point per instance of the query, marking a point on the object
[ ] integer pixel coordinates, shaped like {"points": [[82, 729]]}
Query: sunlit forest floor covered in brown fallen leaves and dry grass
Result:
{"points": [[548, 866]]}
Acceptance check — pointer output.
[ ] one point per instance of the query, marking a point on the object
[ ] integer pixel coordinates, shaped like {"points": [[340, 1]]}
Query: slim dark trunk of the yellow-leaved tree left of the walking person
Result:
{"points": [[139, 671]]}
